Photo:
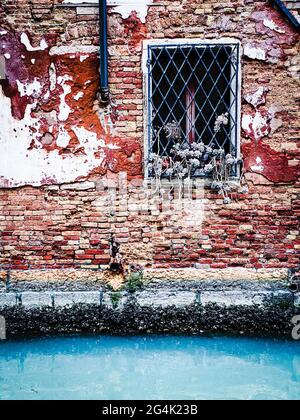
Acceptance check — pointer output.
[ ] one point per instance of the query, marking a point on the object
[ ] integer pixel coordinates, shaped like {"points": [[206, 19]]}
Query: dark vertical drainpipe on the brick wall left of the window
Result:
{"points": [[104, 90]]}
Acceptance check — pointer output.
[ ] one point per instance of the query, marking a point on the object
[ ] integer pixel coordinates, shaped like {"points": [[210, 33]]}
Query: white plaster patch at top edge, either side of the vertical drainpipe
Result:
{"points": [[124, 7]]}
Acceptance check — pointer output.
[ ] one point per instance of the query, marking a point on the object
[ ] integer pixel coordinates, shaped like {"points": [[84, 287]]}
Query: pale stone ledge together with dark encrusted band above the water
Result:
{"points": [[170, 309]]}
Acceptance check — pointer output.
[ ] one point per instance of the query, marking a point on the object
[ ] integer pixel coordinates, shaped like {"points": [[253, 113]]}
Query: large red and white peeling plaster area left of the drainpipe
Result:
{"points": [[47, 136]]}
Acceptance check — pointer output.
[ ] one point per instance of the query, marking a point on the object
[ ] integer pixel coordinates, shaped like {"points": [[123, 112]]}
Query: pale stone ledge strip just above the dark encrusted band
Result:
{"points": [[164, 297]]}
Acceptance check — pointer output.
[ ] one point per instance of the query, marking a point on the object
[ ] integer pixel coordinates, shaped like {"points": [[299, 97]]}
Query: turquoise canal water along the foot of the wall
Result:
{"points": [[149, 368]]}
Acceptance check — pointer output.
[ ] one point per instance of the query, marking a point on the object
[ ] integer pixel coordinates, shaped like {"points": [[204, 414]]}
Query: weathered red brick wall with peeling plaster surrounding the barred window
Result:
{"points": [[58, 143]]}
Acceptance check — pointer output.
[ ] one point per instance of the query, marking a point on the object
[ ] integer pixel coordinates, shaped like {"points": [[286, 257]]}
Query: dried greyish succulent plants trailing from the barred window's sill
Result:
{"points": [[188, 160]]}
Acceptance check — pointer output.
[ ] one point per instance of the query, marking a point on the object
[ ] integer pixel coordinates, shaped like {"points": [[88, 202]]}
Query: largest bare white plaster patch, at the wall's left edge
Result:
{"points": [[21, 166]]}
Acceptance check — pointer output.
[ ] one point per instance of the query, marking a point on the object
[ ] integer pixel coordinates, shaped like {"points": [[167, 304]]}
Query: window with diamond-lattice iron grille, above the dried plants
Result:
{"points": [[190, 88]]}
